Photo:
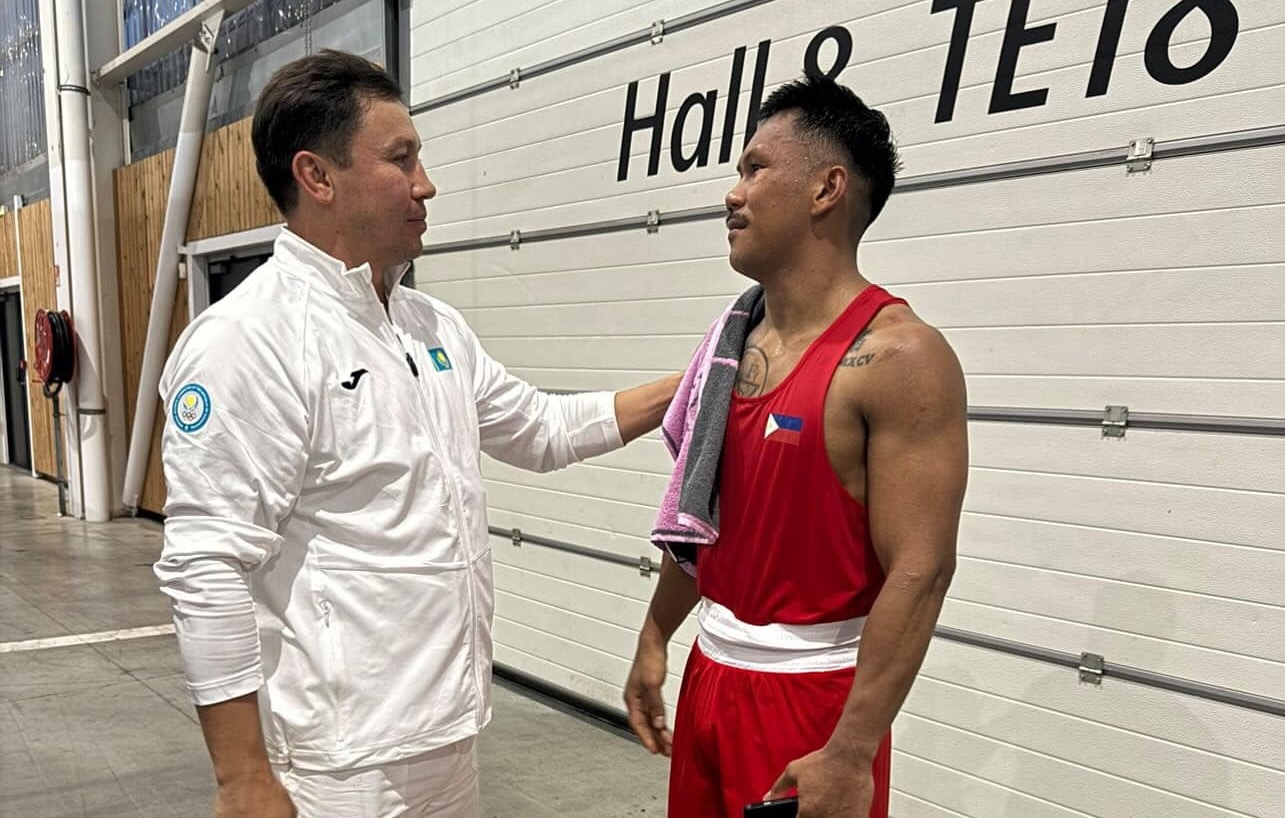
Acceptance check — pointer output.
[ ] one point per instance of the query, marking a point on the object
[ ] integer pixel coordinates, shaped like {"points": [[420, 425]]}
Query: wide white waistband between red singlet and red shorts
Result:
{"points": [[778, 648]]}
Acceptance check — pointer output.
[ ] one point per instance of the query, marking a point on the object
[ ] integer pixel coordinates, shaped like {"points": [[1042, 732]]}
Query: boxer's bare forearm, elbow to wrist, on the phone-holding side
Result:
{"points": [[894, 645]]}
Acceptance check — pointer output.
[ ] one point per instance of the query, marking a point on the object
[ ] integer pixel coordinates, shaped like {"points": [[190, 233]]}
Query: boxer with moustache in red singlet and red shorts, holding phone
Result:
{"points": [[841, 485]]}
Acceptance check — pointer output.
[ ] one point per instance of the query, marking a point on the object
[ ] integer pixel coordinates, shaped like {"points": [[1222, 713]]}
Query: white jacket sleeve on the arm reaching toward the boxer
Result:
{"points": [[534, 430]]}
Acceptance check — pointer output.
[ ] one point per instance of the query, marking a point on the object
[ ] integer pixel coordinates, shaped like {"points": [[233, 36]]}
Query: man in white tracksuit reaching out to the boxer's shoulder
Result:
{"points": [[326, 543]]}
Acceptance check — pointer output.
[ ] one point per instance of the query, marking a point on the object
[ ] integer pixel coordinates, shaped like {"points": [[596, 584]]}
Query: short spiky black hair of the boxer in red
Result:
{"points": [[832, 114]]}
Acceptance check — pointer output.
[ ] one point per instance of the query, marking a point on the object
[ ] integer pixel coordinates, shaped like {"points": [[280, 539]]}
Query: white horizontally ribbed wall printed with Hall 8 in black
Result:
{"points": [[1161, 291]]}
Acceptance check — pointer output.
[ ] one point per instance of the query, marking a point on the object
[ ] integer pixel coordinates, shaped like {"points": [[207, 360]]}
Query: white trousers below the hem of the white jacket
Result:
{"points": [[443, 784]]}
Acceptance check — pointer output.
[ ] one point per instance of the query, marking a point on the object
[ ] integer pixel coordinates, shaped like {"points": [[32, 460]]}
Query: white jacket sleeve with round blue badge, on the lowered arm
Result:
{"points": [[235, 450]]}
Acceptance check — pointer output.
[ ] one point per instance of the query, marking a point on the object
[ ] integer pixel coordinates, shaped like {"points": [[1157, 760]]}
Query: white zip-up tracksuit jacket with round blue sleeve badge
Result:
{"points": [[326, 540]]}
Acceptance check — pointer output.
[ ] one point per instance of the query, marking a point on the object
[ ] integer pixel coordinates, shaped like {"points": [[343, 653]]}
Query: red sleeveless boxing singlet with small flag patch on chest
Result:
{"points": [[793, 546]]}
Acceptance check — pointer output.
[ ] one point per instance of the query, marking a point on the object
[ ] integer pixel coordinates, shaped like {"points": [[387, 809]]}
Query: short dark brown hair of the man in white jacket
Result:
{"points": [[315, 103]]}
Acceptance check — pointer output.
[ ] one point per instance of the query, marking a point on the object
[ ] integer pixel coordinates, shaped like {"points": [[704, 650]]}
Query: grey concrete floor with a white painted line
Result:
{"points": [[107, 731]]}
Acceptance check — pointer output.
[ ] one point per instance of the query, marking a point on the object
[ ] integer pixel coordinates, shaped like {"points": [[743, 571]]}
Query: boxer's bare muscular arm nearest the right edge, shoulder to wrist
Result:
{"points": [[917, 469]]}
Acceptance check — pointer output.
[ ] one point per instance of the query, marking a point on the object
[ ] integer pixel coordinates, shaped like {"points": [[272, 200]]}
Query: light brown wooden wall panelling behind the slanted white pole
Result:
{"points": [[228, 198]]}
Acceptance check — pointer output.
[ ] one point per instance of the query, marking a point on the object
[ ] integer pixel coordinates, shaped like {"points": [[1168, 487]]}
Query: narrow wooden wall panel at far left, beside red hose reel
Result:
{"points": [[35, 225]]}
